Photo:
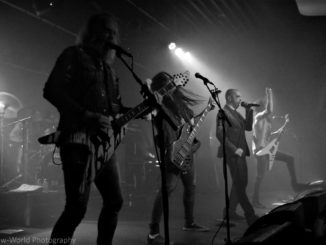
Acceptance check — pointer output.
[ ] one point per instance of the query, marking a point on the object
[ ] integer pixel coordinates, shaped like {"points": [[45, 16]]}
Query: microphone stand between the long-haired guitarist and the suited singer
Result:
{"points": [[221, 114]]}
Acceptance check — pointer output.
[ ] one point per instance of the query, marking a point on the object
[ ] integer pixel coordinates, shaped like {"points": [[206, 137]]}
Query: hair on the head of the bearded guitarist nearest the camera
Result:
{"points": [[95, 24]]}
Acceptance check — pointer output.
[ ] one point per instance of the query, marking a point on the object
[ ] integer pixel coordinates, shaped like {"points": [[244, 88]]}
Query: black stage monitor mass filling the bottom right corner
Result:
{"points": [[292, 222]]}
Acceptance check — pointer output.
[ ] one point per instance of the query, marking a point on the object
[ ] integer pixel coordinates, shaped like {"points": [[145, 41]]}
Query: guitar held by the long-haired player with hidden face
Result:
{"points": [[183, 146]]}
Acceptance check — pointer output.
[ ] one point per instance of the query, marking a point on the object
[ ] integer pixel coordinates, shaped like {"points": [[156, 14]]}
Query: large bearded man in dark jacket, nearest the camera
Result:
{"points": [[85, 90]]}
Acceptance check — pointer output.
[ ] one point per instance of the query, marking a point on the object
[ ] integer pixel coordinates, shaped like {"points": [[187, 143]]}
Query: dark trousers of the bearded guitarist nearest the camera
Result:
{"points": [[74, 159]]}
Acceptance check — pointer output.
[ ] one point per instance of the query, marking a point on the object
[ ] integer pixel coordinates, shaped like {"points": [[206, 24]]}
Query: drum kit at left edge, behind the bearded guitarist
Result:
{"points": [[23, 159]]}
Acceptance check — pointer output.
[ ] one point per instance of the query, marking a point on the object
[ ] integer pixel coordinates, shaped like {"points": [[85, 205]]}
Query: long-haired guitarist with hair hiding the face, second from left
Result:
{"points": [[176, 104]]}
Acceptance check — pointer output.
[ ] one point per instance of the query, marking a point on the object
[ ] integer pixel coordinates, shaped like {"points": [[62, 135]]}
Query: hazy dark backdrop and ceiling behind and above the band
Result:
{"points": [[248, 45]]}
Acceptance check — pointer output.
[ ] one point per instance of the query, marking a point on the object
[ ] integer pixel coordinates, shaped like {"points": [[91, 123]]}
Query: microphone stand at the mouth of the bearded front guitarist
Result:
{"points": [[149, 96]]}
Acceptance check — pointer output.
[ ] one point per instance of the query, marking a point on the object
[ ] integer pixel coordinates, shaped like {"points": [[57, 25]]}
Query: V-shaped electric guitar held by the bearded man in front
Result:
{"points": [[115, 134]]}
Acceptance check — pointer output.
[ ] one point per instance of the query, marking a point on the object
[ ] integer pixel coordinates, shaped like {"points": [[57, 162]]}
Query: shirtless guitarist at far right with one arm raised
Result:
{"points": [[262, 135]]}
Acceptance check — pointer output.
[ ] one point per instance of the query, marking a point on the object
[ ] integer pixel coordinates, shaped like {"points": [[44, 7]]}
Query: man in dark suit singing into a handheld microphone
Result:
{"points": [[237, 150]]}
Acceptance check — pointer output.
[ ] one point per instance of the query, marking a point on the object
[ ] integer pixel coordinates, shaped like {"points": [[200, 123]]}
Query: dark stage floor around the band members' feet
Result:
{"points": [[134, 219]]}
